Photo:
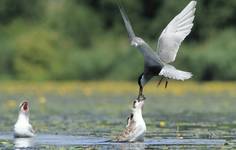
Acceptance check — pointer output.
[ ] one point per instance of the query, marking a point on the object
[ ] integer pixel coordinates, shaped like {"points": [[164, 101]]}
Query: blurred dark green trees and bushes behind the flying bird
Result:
{"points": [[87, 40]]}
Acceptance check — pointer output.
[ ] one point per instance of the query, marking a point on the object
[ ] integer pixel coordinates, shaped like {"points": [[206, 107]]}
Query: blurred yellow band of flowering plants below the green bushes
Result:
{"points": [[118, 87]]}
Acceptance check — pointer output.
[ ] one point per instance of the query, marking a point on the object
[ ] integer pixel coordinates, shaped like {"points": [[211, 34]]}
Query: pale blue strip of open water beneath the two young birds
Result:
{"points": [[80, 141]]}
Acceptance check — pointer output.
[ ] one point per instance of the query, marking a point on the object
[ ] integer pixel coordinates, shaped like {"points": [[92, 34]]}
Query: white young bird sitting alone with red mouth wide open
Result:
{"points": [[22, 127]]}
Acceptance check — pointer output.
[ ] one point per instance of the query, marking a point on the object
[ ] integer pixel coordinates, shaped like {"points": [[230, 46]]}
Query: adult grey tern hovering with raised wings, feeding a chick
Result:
{"points": [[157, 62]]}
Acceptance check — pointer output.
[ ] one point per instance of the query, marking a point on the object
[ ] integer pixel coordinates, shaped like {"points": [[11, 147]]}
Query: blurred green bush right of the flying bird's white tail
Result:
{"points": [[212, 60]]}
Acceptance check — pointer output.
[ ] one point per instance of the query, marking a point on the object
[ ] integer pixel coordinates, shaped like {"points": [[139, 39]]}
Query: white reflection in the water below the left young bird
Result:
{"points": [[23, 143]]}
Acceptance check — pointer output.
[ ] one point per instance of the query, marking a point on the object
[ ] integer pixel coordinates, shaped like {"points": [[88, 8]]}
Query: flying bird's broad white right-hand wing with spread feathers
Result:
{"points": [[175, 32]]}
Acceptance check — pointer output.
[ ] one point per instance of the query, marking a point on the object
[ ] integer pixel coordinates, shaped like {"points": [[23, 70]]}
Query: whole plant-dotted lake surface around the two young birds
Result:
{"points": [[88, 116]]}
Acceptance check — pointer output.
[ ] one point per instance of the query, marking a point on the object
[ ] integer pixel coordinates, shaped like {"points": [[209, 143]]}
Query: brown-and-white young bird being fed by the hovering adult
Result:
{"points": [[136, 127]]}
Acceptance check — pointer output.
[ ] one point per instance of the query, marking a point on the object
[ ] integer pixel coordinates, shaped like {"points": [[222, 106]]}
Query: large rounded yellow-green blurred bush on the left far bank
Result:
{"points": [[33, 53]]}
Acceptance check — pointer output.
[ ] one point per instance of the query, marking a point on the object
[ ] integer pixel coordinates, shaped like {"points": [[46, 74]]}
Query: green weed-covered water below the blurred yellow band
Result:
{"points": [[103, 116]]}
